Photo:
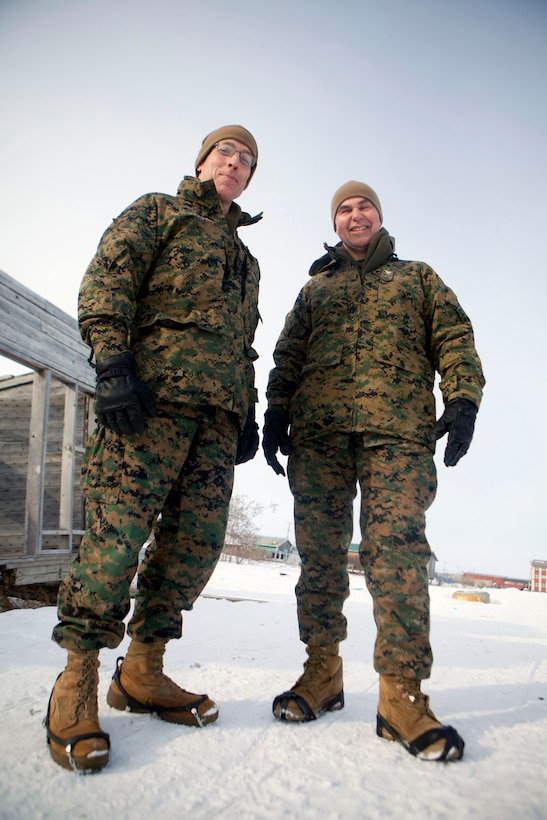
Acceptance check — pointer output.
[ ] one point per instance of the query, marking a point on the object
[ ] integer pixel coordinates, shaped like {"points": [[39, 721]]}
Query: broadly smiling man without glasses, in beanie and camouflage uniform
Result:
{"points": [[354, 371]]}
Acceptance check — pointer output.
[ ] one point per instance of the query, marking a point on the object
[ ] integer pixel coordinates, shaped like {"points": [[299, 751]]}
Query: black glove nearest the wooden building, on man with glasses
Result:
{"points": [[121, 397]]}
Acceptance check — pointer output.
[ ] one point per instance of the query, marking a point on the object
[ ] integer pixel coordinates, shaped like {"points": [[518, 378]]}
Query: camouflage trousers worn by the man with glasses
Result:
{"points": [[176, 478]]}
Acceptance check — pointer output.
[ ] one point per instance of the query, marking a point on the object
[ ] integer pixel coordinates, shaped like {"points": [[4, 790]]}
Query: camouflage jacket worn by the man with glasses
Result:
{"points": [[172, 281]]}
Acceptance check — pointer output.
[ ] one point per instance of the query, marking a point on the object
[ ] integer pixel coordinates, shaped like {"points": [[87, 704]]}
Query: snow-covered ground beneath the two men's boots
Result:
{"points": [[241, 646]]}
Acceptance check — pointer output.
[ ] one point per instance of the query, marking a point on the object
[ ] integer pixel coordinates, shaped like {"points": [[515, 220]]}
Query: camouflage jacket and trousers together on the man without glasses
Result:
{"points": [[354, 368]]}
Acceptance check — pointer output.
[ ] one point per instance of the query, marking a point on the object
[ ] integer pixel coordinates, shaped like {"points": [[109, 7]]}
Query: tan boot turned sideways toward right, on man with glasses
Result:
{"points": [[139, 685]]}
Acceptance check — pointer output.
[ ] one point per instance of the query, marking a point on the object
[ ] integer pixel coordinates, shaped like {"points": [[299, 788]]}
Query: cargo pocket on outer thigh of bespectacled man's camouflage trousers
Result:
{"points": [[102, 466]]}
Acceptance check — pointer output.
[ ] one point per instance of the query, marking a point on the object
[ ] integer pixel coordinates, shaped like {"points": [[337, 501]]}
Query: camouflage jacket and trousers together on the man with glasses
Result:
{"points": [[172, 282]]}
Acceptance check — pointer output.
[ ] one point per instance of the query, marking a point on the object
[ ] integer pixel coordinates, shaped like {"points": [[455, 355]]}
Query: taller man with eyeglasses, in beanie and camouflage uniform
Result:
{"points": [[169, 307]]}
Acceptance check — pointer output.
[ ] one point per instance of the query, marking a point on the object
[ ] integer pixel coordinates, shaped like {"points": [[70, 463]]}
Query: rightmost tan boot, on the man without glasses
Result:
{"points": [[404, 715]]}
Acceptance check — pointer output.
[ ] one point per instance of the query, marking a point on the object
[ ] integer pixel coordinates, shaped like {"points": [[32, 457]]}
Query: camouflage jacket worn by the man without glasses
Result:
{"points": [[359, 352]]}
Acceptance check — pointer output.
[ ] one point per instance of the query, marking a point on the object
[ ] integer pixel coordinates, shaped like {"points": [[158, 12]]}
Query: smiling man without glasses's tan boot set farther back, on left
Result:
{"points": [[319, 689]]}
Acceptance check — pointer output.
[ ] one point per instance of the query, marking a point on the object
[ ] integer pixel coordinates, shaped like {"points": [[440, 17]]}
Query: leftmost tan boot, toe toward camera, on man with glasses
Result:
{"points": [[76, 741]]}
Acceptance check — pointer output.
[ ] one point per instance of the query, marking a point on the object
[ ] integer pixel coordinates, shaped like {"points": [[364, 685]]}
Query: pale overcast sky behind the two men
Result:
{"points": [[440, 106]]}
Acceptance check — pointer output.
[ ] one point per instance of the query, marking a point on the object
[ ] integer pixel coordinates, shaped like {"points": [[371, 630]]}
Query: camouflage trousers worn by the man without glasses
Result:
{"points": [[398, 483]]}
